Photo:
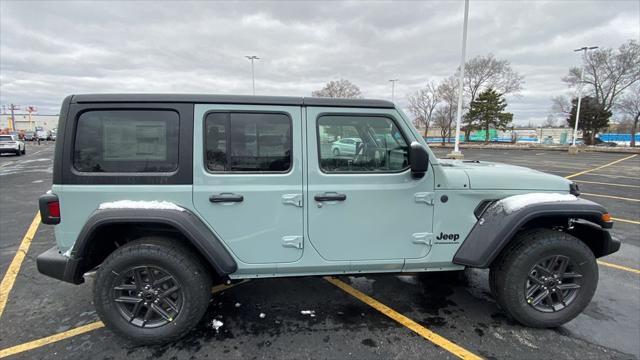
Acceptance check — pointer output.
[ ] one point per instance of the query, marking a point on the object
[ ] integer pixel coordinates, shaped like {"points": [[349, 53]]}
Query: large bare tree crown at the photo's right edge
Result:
{"points": [[607, 73]]}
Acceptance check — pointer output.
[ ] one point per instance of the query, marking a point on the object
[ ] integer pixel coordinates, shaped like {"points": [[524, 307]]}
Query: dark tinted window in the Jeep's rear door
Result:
{"points": [[248, 142]]}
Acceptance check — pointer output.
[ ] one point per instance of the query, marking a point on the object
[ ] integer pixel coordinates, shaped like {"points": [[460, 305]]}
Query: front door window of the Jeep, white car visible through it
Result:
{"points": [[352, 143]]}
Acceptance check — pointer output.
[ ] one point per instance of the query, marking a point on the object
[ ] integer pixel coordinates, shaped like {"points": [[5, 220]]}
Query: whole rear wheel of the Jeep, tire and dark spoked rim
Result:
{"points": [[152, 290]]}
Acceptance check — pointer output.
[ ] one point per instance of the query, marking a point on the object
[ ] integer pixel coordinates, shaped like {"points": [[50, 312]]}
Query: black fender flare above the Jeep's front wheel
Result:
{"points": [[496, 228]]}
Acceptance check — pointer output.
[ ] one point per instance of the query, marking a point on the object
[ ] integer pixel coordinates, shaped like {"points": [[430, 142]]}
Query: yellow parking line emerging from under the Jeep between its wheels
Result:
{"points": [[451, 347]]}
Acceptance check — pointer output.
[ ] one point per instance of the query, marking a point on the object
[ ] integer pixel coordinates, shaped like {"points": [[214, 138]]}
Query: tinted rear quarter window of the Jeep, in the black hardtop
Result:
{"points": [[127, 141]]}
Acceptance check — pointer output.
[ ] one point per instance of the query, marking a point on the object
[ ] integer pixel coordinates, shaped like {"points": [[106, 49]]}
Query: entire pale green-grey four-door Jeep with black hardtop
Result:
{"points": [[167, 195]]}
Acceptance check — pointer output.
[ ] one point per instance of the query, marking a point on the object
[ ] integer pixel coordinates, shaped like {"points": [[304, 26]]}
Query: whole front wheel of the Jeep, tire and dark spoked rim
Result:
{"points": [[545, 278]]}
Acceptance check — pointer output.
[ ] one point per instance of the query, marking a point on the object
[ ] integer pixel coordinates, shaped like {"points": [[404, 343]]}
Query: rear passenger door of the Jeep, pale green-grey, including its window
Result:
{"points": [[248, 179]]}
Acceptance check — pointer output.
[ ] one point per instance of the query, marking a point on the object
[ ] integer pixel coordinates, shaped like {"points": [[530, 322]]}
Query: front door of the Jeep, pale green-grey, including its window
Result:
{"points": [[365, 206]]}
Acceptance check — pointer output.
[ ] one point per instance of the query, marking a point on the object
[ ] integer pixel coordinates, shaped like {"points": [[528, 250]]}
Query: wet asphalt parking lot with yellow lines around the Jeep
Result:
{"points": [[422, 316]]}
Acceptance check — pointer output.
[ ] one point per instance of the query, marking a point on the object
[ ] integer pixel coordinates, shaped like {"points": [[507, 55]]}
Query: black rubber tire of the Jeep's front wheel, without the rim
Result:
{"points": [[510, 270]]}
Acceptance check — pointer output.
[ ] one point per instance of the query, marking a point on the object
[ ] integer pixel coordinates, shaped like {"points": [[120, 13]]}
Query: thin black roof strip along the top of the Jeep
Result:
{"points": [[229, 99]]}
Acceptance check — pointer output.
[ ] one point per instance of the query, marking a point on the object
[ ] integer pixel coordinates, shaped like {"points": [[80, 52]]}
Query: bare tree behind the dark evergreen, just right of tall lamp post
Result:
{"points": [[484, 72]]}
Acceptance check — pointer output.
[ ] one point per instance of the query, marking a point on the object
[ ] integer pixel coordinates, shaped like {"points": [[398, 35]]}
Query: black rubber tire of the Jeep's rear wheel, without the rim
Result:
{"points": [[176, 259]]}
